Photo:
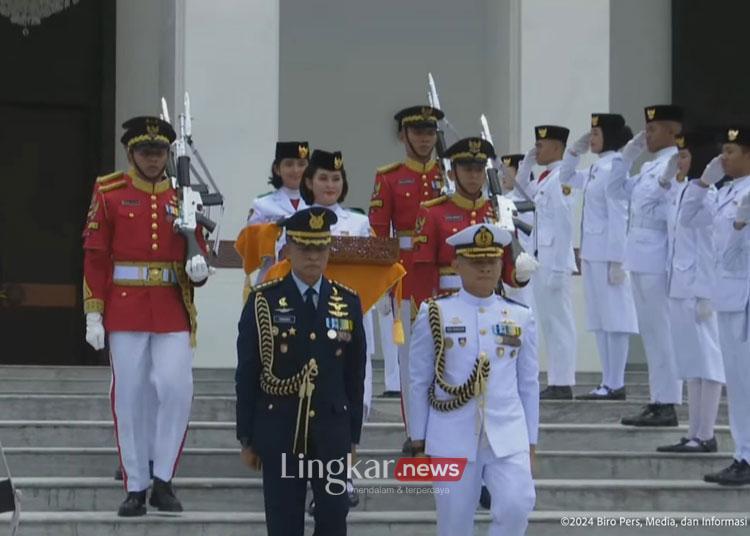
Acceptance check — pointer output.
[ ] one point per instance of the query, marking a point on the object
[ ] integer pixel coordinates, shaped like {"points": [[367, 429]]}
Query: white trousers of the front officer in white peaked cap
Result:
{"points": [[509, 482]]}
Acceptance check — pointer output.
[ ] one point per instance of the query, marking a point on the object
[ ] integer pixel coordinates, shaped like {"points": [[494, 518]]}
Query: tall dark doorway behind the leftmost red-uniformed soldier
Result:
{"points": [[56, 136]]}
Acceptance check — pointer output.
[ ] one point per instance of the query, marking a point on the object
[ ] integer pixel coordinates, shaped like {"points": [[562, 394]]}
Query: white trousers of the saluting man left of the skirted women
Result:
{"points": [[554, 314]]}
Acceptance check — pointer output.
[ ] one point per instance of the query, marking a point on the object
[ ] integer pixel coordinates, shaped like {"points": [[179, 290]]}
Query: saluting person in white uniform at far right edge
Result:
{"points": [[730, 214]]}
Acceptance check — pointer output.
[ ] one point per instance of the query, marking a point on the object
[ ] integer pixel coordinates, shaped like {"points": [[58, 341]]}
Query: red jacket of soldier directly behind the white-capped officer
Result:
{"points": [[436, 221]]}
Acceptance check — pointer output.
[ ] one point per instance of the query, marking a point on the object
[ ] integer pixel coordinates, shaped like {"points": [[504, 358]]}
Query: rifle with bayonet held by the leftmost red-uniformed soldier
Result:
{"points": [[192, 198]]}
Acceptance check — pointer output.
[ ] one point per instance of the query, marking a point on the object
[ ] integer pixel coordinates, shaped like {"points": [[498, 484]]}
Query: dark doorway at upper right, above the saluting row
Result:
{"points": [[710, 75]]}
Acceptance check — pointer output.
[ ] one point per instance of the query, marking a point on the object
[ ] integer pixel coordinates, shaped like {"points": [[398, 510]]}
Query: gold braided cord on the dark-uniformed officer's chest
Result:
{"points": [[302, 383]]}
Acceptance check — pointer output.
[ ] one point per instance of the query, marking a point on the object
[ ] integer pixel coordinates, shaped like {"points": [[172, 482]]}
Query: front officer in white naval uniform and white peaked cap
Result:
{"points": [[475, 392]]}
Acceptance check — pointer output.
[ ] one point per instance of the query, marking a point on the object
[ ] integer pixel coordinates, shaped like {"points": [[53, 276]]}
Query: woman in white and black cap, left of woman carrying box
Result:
{"points": [[290, 160]]}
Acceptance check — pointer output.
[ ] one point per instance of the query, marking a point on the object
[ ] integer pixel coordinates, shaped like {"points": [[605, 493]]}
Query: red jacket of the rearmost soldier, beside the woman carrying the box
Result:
{"points": [[399, 190]]}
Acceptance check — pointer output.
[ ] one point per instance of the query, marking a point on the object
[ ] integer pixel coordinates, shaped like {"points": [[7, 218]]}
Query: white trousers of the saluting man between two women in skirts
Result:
{"points": [[652, 308]]}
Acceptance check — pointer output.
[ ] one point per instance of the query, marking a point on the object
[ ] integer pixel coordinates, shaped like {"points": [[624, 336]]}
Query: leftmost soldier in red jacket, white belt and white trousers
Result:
{"points": [[138, 288]]}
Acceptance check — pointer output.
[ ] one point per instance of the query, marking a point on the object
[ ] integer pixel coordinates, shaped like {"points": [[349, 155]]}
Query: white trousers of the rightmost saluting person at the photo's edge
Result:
{"points": [[737, 366]]}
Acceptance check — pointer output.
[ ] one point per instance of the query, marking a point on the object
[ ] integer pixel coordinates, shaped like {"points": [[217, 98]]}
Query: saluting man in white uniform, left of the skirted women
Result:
{"points": [[553, 247]]}
